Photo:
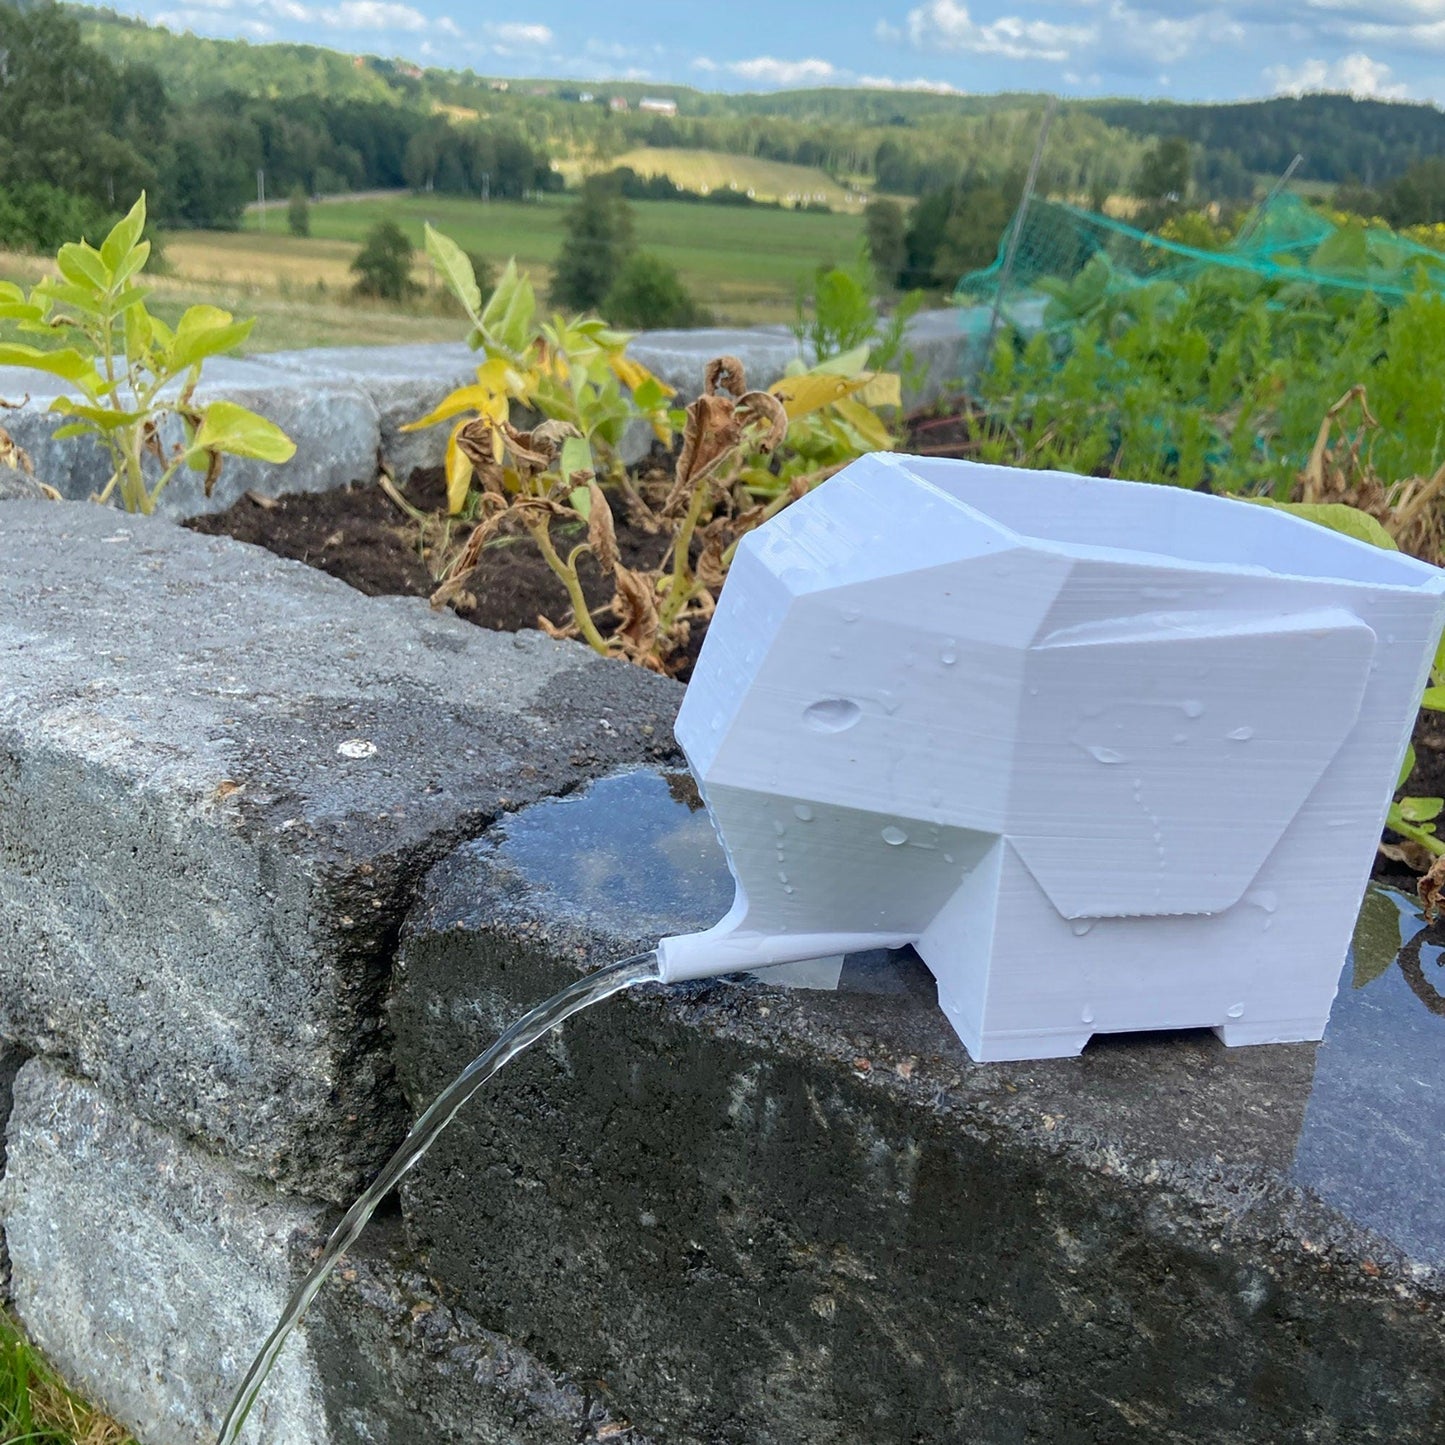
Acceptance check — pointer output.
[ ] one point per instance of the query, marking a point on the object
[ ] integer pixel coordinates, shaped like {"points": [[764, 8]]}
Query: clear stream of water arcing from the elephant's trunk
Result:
{"points": [[593, 989]]}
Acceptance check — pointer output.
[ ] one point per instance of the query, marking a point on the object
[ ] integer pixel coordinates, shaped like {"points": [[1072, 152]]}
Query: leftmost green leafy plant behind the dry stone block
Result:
{"points": [[131, 372]]}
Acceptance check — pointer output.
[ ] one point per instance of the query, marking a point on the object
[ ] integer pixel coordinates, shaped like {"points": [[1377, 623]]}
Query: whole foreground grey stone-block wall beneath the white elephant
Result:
{"points": [[277, 860]]}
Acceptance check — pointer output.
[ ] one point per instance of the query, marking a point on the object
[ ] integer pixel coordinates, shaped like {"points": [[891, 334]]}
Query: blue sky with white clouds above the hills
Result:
{"points": [[1177, 48]]}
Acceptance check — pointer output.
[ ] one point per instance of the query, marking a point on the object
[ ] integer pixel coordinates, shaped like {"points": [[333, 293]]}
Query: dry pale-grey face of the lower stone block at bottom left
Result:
{"points": [[147, 1274]]}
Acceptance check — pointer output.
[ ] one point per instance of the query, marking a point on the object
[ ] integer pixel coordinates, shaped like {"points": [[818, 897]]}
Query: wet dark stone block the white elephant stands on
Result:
{"points": [[761, 1216]]}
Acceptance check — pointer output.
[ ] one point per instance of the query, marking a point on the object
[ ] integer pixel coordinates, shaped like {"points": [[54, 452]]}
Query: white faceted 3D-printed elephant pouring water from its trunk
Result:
{"points": [[1110, 756]]}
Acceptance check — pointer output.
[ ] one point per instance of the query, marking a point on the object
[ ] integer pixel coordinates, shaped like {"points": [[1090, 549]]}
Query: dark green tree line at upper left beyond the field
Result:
{"points": [[83, 135]]}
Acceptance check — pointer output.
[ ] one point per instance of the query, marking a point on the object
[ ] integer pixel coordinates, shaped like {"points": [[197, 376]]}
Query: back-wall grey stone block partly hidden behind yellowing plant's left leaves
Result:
{"points": [[404, 385]]}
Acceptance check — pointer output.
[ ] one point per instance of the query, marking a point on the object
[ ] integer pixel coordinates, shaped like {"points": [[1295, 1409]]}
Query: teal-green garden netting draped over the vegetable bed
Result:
{"points": [[1285, 242]]}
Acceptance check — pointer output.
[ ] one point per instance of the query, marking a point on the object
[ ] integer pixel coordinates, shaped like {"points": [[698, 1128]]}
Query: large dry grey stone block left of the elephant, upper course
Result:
{"points": [[222, 778]]}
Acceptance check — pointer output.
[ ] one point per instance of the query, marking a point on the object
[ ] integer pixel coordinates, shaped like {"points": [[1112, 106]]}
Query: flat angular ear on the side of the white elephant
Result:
{"points": [[1163, 758]]}
